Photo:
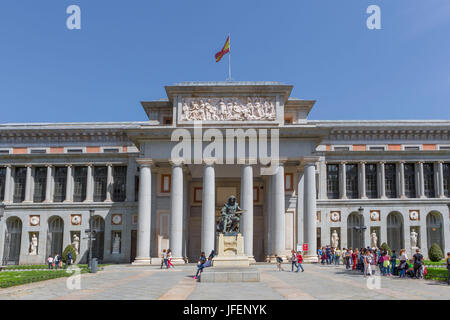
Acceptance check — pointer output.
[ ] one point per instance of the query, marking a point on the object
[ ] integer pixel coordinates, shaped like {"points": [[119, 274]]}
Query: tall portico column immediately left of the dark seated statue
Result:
{"points": [[208, 207]]}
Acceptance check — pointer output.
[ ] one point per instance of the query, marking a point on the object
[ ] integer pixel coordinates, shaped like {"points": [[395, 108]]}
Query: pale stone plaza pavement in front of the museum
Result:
{"points": [[151, 283]]}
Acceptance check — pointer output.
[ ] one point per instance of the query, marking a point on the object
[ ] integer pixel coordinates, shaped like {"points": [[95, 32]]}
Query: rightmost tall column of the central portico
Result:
{"points": [[309, 212]]}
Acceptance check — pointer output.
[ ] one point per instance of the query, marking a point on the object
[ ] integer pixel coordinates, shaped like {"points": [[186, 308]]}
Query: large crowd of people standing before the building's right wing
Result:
{"points": [[367, 260]]}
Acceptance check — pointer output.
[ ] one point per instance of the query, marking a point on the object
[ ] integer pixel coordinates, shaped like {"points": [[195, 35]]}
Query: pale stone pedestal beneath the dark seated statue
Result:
{"points": [[230, 251]]}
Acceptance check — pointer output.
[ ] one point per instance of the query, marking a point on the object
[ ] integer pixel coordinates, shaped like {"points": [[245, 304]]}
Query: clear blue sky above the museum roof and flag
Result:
{"points": [[127, 51]]}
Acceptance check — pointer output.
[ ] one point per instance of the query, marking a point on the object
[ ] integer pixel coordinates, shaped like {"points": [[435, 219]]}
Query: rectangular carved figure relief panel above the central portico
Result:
{"points": [[228, 109]]}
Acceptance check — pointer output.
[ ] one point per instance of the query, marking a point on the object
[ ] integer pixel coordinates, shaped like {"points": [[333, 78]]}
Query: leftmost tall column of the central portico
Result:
{"points": [[144, 212]]}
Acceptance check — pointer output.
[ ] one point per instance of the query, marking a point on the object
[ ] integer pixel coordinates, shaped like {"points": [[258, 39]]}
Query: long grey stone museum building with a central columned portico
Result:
{"points": [[299, 181]]}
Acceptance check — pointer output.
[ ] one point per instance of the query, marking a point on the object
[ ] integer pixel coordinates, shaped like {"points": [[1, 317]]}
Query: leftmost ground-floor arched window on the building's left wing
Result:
{"points": [[13, 238]]}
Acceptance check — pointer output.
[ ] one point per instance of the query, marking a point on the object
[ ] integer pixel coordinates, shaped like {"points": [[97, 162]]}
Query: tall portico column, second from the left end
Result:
{"points": [[176, 213]]}
